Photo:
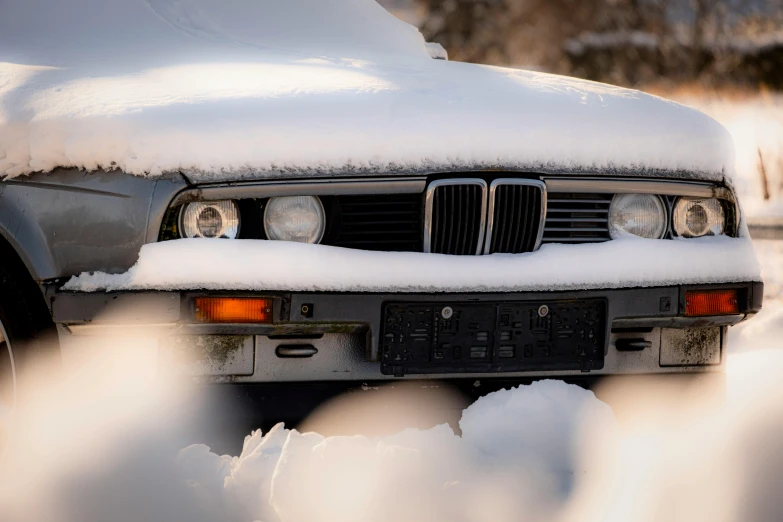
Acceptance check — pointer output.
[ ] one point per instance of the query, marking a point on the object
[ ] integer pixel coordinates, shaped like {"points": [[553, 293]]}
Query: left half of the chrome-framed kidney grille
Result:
{"points": [[455, 216]]}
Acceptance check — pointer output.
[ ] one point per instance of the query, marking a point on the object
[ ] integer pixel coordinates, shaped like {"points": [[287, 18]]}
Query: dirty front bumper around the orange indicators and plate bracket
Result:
{"points": [[337, 336]]}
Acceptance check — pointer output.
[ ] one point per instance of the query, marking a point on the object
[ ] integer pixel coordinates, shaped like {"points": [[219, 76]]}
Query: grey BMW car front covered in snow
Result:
{"points": [[343, 207]]}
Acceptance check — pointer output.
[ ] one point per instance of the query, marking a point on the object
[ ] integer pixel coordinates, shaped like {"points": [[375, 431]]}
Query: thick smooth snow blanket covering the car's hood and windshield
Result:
{"points": [[236, 89]]}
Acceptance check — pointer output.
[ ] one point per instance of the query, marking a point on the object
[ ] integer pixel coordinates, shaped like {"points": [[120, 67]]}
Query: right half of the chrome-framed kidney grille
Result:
{"points": [[516, 211]]}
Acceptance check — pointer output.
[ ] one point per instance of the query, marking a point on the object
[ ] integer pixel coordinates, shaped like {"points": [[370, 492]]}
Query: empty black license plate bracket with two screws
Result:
{"points": [[493, 337]]}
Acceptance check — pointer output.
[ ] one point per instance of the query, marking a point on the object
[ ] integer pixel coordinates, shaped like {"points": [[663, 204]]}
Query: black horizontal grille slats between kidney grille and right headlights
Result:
{"points": [[577, 218]]}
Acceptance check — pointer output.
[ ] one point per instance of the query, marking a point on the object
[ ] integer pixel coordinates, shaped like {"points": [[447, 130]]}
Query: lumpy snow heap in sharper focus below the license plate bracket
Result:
{"points": [[517, 447]]}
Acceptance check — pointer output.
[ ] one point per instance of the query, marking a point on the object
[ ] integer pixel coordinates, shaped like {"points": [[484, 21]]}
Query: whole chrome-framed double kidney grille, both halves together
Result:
{"points": [[465, 217]]}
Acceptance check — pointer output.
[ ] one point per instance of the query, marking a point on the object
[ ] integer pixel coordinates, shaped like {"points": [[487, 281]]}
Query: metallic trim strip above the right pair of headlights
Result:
{"points": [[640, 186]]}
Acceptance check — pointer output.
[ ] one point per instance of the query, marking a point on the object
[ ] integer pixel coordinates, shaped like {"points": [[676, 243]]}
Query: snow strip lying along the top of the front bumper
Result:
{"points": [[278, 265]]}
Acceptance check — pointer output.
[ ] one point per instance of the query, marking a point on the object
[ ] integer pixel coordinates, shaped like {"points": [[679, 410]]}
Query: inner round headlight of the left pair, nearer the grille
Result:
{"points": [[295, 218]]}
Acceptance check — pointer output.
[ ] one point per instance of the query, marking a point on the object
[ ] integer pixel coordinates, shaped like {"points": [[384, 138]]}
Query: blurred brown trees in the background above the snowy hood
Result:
{"points": [[626, 42]]}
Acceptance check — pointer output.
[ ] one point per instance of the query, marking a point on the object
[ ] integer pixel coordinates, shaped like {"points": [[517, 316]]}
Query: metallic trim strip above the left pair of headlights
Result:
{"points": [[315, 187]]}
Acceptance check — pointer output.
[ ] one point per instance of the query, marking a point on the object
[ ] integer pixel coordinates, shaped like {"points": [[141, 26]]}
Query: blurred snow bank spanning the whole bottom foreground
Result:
{"points": [[102, 447]]}
